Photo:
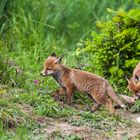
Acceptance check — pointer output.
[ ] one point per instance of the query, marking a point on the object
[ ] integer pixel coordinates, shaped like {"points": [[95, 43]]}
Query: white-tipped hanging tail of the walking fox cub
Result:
{"points": [[113, 96]]}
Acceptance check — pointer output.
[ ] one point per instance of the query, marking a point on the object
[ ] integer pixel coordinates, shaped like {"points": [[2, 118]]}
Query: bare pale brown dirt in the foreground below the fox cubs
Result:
{"points": [[63, 128]]}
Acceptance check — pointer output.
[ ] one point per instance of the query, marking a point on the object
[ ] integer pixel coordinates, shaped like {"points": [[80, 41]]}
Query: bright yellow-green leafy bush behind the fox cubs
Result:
{"points": [[115, 50]]}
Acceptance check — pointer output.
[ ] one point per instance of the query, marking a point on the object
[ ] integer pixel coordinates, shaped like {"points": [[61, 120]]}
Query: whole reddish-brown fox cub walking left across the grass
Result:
{"points": [[73, 79]]}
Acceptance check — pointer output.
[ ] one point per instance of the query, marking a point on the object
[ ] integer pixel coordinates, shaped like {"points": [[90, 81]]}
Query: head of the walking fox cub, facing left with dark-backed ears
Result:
{"points": [[51, 65]]}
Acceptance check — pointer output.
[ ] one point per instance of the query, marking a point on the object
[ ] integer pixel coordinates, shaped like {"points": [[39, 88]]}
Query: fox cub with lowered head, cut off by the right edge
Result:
{"points": [[134, 81]]}
